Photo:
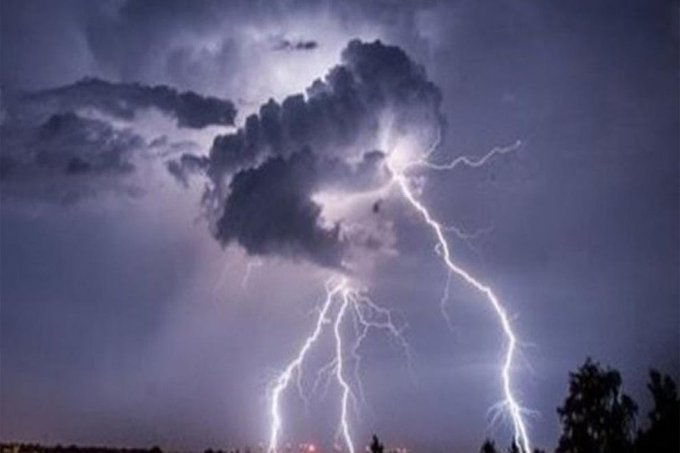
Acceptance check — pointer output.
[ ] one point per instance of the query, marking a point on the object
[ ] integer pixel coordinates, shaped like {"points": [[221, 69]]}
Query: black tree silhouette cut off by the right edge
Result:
{"points": [[662, 436]]}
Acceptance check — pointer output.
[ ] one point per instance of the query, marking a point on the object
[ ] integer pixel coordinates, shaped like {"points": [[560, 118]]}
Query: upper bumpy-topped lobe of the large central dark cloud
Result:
{"points": [[340, 115]]}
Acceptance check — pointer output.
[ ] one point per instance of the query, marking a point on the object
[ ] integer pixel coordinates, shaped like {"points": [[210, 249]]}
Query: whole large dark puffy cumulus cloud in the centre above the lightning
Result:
{"points": [[264, 176]]}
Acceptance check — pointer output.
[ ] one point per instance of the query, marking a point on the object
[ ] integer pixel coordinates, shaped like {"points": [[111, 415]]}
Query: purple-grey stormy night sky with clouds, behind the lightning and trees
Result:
{"points": [[178, 180]]}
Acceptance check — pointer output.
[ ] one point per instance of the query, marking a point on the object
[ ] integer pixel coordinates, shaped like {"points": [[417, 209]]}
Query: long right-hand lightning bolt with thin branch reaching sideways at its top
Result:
{"points": [[521, 434]]}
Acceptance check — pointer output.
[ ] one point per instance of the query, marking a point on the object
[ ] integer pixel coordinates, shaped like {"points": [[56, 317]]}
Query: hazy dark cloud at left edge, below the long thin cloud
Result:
{"points": [[65, 158]]}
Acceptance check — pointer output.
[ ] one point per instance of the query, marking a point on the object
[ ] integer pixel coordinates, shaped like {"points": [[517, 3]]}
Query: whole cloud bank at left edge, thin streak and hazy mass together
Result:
{"points": [[65, 143]]}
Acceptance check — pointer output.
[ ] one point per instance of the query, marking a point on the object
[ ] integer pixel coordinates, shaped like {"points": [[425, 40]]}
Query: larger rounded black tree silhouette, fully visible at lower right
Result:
{"points": [[596, 416]]}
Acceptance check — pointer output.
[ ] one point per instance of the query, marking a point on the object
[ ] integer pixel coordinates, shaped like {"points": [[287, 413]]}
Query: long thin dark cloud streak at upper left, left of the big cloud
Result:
{"points": [[125, 99]]}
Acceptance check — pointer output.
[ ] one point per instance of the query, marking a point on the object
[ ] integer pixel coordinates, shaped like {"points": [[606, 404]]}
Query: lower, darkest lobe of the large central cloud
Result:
{"points": [[269, 210]]}
